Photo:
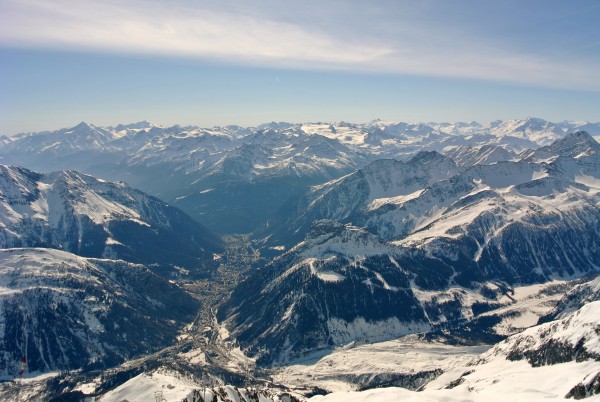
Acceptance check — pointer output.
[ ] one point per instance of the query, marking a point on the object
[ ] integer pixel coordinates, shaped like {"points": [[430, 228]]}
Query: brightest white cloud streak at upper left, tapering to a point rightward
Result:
{"points": [[154, 29]]}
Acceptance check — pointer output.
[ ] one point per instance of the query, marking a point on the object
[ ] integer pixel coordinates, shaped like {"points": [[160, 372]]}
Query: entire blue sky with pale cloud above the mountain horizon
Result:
{"points": [[247, 62]]}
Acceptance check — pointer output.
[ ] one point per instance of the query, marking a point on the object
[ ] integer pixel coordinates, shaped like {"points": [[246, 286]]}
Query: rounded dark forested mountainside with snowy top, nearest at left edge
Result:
{"points": [[63, 311]]}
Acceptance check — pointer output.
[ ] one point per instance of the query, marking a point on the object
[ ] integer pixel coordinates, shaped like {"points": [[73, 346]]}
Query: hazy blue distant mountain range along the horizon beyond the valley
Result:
{"points": [[233, 178]]}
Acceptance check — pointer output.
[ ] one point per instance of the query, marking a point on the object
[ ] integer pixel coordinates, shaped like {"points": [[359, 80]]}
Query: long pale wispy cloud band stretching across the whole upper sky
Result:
{"points": [[370, 42]]}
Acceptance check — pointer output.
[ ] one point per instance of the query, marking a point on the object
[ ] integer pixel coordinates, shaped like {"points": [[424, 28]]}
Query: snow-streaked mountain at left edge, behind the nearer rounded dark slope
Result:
{"points": [[91, 217]]}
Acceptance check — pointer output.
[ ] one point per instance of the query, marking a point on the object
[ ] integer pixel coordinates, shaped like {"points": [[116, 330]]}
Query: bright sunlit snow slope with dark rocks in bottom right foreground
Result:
{"points": [[552, 361]]}
